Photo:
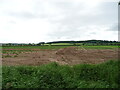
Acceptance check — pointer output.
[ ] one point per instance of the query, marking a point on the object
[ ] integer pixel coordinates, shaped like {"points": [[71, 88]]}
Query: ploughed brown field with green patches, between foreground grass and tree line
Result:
{"points": [[62, 55]]}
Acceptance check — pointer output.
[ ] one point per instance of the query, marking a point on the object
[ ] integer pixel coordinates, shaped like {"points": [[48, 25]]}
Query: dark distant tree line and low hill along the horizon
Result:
{"points": [[85, 42]]}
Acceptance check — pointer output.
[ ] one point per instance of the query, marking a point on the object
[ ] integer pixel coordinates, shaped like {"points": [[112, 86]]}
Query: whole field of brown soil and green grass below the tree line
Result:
{"points": [[60, 66]]}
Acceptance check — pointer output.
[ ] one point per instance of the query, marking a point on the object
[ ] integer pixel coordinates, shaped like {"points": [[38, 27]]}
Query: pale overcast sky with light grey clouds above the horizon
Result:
{"points": [[33, 21]]}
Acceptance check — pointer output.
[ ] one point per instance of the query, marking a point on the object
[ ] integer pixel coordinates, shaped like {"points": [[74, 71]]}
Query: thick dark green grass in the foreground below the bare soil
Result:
{"points": [[53, 75]]}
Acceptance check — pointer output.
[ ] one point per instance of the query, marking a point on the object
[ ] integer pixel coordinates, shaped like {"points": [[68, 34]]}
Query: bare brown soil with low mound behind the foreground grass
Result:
{"points": [[70, 55]]}
